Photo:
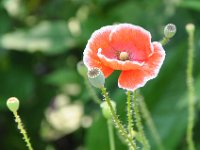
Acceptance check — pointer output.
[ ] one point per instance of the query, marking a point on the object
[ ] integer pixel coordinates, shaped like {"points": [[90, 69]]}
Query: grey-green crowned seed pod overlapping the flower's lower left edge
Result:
{"points": [[96, 77]]}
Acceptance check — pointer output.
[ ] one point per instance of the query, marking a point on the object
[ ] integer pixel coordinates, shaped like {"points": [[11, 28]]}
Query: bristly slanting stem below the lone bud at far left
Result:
{"points": [[22, 130]]}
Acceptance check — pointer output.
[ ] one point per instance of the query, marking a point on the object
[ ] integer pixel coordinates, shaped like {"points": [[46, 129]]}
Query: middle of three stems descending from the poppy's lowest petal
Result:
{"points": [[144, 140]]}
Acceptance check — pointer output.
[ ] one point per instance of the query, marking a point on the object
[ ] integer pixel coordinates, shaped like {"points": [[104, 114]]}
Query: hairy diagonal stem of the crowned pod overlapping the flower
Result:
{"points": [[117, 122]]}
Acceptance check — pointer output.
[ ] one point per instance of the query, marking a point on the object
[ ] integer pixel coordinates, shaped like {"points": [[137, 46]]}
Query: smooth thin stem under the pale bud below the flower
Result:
{"points": [[111, 134]]}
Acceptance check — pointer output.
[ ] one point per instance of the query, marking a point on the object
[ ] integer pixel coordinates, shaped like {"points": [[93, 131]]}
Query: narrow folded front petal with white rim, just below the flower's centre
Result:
{"points": [[118, 64]]}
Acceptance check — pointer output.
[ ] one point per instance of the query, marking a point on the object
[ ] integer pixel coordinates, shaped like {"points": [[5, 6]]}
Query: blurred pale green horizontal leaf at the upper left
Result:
{"points": [[47, 37]]}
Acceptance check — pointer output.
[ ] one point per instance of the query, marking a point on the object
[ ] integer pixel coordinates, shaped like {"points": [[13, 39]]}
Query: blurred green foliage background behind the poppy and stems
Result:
{"points": [[42, 40]]}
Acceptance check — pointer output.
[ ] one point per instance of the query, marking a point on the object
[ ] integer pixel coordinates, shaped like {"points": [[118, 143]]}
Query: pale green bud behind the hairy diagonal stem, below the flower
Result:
{"points": [[106, 110]]}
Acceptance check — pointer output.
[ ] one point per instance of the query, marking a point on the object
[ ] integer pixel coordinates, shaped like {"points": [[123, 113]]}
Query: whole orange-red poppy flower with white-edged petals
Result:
{"points": [[128, 48]]}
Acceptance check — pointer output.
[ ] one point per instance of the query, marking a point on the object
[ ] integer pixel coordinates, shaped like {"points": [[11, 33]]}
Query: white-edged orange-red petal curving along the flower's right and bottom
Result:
{"points": [[133, 79]]}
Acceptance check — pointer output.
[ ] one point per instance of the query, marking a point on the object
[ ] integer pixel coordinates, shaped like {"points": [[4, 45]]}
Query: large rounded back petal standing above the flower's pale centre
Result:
{"points": [[132, 39]]}
